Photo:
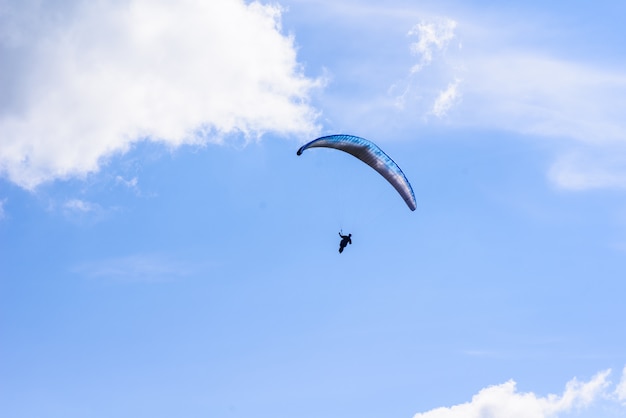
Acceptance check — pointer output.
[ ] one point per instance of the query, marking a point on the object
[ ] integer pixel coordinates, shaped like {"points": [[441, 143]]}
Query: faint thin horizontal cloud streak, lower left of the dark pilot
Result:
{"points": [[137, 268]]}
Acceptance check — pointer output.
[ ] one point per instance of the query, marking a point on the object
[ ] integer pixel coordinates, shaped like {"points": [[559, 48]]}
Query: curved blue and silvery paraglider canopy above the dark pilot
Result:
{"points": [[372, 155]]}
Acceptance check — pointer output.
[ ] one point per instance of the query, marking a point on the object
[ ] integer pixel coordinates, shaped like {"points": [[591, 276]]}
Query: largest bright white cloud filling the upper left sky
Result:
{"points": [[87, 82]]}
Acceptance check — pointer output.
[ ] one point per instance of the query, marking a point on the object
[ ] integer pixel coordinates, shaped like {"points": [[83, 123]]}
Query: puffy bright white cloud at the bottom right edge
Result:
{"points": [[505, 401]]}
